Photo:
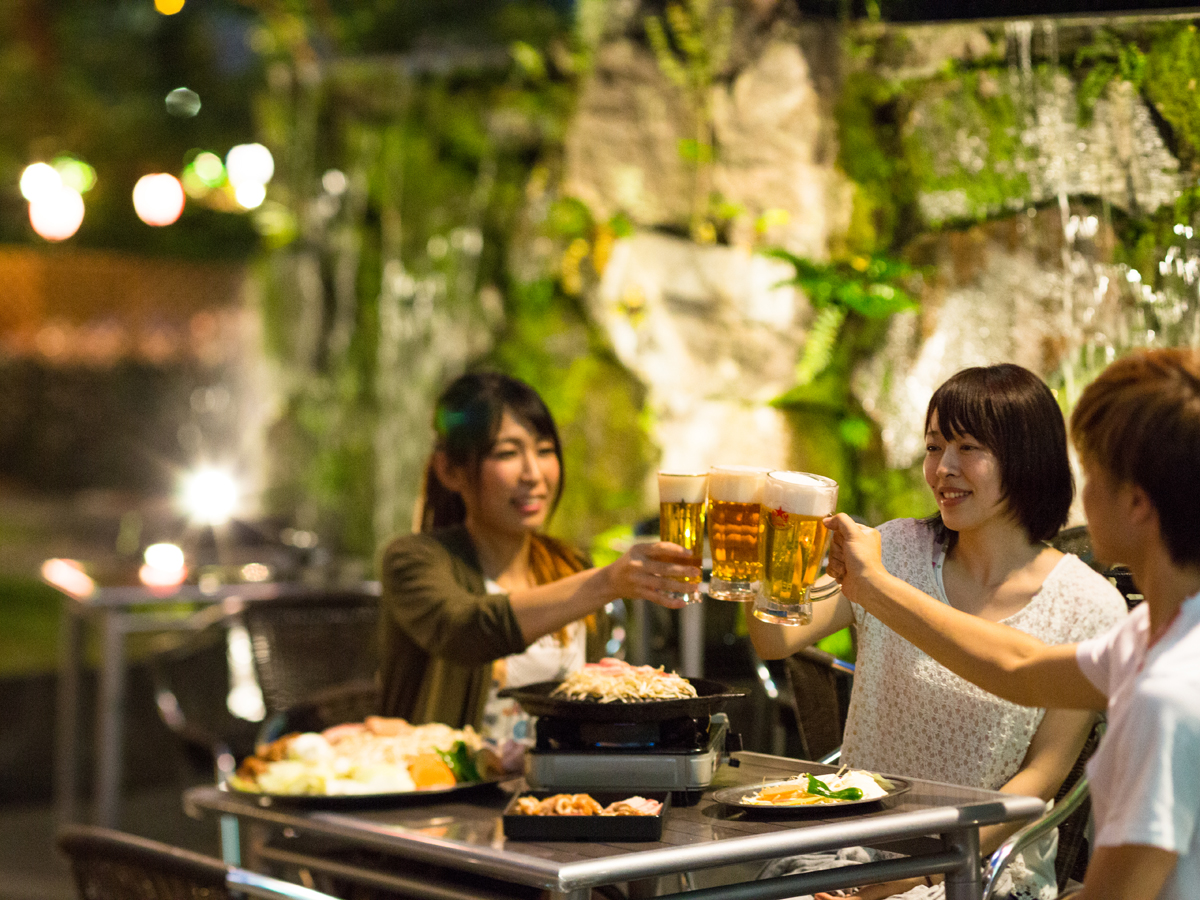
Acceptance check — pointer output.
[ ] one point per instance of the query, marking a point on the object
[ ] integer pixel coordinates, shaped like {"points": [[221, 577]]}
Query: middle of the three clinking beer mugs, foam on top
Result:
{"points": [[735, 515]]}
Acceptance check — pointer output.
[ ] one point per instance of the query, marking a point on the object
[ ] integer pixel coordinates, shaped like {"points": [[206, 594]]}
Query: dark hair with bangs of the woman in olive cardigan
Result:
{"points": [[466, 422]]}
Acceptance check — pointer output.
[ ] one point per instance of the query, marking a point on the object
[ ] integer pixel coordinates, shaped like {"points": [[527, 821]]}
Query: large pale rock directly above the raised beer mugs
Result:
{"points": [[713, 338]]}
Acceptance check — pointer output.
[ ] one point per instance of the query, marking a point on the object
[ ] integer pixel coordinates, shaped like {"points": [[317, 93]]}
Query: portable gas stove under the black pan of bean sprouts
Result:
{"points": [[680, 755]]}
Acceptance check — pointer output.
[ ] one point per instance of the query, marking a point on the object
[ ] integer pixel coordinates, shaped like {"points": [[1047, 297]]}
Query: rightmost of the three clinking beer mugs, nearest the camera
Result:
{"points": [[794, 544]]}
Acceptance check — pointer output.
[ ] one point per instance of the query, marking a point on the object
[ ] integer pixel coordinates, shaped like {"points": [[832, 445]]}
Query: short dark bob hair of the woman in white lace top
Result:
{"points": [[1013, 413]]}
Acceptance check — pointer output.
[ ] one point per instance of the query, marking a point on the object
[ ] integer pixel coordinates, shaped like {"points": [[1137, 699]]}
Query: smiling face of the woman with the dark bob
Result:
{"points": [[965, 479]]}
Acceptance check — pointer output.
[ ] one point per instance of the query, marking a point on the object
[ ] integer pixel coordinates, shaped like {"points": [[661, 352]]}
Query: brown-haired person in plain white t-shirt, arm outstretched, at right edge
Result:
{"points": [[1138, 431]]}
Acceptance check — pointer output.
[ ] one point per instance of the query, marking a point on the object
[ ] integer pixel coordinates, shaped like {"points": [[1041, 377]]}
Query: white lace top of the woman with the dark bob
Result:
{"points": [[910, 716]]}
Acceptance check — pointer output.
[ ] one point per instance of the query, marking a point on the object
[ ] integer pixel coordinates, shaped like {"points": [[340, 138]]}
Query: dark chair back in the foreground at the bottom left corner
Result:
{"points": [[113, 866]]}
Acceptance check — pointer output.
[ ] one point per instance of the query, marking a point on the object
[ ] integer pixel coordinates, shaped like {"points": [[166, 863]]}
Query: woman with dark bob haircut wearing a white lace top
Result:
{"points": [[997, 464]]}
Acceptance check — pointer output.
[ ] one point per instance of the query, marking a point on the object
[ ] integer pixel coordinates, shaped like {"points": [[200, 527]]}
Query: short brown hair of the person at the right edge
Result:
{"points": [[1141, 421]]}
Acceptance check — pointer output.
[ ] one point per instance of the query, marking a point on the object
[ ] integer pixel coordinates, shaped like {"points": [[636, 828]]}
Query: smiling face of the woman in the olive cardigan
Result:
{"points": [[517, 484]]}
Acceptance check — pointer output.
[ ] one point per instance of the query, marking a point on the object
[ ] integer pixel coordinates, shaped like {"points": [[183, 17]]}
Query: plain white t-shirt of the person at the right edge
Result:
{"points": [[1145, 776]]}
